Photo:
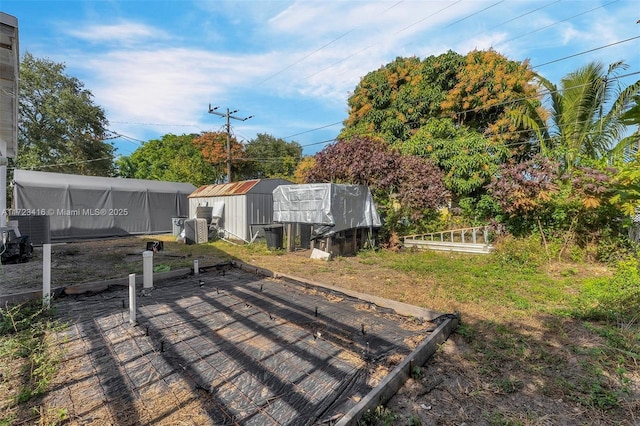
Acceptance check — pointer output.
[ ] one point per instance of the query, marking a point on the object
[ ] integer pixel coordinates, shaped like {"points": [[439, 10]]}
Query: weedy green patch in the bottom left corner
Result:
{"points": [[27, 362]]}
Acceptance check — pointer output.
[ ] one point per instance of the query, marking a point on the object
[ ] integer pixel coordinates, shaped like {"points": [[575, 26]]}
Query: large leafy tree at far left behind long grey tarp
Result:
{"points": [[60, 127]]}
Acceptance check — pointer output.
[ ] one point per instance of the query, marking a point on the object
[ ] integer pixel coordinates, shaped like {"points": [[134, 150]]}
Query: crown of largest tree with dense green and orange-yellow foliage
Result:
{"points": [[479, 90]]}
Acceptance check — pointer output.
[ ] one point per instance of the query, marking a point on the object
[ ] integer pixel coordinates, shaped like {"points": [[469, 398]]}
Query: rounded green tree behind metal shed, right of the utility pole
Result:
{"points": [[272, 157]]}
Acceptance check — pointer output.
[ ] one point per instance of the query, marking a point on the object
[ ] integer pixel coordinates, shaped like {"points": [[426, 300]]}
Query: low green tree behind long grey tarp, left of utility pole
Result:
{"points": [[172, 158]]}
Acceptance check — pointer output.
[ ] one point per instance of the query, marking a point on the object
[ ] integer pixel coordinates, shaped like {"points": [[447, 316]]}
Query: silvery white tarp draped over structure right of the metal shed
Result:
{"points": [[330, 207]]}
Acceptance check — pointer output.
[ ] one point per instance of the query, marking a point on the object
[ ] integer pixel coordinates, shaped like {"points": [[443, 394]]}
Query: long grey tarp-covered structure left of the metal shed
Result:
{"points": [[81, 207]]}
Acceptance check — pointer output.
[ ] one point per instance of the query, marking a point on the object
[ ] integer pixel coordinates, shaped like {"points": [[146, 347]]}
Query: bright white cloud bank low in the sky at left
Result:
{"points": [[169, 85]]}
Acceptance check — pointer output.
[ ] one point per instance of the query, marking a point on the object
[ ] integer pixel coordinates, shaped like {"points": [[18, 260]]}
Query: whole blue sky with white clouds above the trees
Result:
{"points": [[156, 67]]}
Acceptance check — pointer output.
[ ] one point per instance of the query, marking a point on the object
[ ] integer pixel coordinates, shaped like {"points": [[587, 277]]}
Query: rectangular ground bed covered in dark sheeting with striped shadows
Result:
{"points": [[235, 346]]}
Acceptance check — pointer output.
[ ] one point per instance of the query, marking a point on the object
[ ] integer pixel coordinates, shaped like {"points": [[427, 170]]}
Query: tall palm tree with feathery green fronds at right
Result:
{"points": [[584, 117]]}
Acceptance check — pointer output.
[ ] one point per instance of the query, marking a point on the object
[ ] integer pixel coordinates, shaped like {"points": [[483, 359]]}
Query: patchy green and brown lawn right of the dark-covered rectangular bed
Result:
{"points": [[531, 332]]}
